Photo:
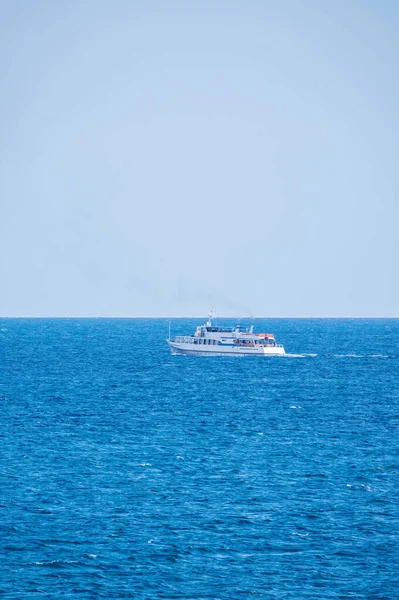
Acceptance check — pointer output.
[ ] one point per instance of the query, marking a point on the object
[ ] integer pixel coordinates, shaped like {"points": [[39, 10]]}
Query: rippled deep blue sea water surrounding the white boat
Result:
{"points": [[127, 472]]}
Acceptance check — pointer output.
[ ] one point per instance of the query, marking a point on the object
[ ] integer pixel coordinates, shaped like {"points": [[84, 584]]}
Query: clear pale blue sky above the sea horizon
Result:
{"points": [[161, 157]]}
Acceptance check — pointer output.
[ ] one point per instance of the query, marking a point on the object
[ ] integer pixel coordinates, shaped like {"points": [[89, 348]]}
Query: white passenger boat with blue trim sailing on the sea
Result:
{"points": [[233, 341]]}
